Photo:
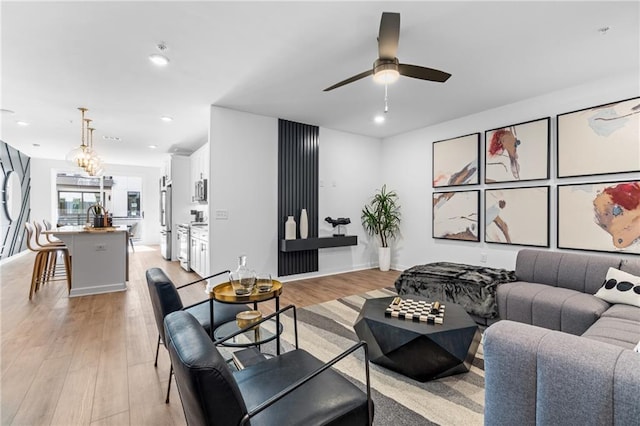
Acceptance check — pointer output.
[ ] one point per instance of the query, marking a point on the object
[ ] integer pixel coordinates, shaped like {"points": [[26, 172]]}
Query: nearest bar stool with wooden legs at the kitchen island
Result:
{"points": [[41, 266]]}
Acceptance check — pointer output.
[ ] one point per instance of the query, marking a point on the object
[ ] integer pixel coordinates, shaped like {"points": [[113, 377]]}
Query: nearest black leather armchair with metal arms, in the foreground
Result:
{"points": [[294, 388]]}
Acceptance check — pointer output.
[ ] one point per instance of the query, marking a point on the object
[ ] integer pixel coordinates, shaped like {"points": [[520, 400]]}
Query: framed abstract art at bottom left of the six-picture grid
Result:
{"points": [[456, 215]]}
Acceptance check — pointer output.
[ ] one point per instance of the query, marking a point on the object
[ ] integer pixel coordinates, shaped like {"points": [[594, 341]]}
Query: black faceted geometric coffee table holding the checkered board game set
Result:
{"points": [[416, 349]]}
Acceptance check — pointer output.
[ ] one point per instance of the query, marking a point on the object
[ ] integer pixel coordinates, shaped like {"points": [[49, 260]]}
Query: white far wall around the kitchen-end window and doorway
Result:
{"points": [[44, 199]]}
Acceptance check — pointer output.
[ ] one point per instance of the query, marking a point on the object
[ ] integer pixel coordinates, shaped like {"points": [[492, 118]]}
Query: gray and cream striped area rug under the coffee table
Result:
{"points": [[326, 329]]}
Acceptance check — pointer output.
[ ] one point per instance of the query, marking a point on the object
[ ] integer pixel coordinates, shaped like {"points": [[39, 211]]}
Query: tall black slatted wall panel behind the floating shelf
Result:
{"points": [[297, 189]]}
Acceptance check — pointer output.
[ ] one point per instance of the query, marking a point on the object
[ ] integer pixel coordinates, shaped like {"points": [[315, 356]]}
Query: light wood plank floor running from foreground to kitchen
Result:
{"points": [[89, 360]]}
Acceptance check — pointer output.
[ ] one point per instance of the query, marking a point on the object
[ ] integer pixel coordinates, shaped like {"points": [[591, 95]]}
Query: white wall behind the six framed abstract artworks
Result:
{"points": [[407, 169]]}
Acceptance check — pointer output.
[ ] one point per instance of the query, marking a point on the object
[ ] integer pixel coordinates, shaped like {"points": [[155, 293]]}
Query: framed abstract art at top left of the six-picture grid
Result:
{"points": [[455, 161]]}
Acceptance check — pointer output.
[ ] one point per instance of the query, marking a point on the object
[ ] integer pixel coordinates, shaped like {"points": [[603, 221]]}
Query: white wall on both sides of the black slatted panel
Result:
{"points": [[244, 181]]}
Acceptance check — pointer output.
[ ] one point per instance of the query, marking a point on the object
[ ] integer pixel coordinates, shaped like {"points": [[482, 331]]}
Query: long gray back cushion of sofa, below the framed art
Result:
{"points": [[581, 272]]}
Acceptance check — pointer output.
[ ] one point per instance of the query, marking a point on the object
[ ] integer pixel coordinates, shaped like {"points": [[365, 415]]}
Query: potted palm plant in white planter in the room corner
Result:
{"points": [[381, 217]]}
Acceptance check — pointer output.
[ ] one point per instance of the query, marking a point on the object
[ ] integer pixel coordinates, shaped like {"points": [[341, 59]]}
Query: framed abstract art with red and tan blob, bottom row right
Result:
{"points": [[603, 216]]}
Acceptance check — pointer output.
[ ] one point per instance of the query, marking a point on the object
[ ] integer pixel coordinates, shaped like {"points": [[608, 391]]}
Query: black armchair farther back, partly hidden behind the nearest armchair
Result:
{"points": [[166, 299]]}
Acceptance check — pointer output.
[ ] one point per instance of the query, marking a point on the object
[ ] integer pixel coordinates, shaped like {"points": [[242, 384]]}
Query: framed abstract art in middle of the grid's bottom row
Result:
{"points": [[518, 216]]}
